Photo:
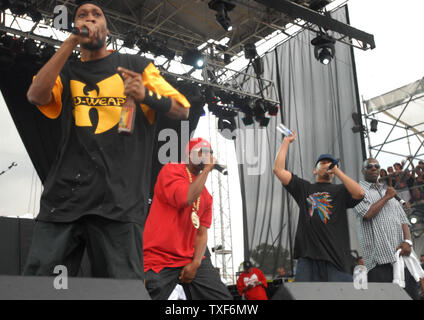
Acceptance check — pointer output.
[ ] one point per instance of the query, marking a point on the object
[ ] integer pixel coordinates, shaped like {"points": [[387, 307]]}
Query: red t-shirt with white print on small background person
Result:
{"points": [[256, 293]]}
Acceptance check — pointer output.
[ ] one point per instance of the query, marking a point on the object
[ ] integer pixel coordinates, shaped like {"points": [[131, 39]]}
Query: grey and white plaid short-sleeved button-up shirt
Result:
{"points": [[380, 236]]}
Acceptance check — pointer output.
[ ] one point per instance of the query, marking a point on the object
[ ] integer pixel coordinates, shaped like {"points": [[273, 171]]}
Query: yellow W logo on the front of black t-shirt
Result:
{"points": [[106, 96]]}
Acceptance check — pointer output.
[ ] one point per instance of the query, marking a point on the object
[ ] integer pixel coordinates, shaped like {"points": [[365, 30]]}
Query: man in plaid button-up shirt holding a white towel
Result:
{"points": [[383, 228]]}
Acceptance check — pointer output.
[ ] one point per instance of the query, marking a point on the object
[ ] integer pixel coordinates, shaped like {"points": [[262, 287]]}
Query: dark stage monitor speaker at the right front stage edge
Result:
{"points": [[339, 291]]}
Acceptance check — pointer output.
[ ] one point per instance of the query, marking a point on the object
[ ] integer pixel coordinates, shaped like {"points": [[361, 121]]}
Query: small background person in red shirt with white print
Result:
{"points": [[252, 283]]}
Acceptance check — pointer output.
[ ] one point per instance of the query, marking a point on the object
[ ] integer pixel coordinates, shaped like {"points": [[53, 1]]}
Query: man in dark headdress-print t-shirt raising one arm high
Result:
{"points": [[322, 239]]}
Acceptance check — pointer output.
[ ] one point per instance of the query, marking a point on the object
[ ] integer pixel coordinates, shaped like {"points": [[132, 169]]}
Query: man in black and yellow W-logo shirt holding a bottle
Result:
{"points": [[96, 193]]}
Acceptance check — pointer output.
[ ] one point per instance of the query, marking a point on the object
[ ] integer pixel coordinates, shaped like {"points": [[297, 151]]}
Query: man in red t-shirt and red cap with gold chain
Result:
{"points": [[176, 235]]}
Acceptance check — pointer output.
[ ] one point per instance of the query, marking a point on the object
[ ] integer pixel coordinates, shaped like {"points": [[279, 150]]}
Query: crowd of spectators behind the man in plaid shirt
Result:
{"points": [[407, 179]]}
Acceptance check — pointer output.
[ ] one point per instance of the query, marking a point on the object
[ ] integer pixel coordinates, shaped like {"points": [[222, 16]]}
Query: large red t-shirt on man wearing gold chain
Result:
{"points": [[169, 233]]}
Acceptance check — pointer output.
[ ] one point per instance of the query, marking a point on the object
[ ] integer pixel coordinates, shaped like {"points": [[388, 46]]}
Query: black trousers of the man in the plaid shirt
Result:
{"points": [[384, 273]]}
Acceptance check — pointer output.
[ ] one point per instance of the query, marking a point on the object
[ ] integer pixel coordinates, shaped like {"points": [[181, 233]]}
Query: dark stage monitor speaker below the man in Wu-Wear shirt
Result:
{"points": [[43, 288]]}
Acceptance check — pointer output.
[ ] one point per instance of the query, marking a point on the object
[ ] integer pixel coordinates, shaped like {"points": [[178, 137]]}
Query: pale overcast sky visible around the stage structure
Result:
{"points": [[397, 60]]}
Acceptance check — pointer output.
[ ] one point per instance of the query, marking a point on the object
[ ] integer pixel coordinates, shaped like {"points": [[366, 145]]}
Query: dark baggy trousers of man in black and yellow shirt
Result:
{"points": [[115, 249]]}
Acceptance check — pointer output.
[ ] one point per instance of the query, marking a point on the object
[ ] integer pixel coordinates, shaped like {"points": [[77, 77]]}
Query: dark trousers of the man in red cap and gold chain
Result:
{"points": [[206, 285]]}
